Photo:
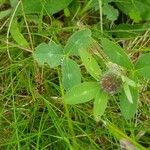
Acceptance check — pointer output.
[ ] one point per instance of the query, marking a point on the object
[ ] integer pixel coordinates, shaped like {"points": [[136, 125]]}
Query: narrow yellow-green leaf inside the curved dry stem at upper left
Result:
{"points": [[17, 35]]}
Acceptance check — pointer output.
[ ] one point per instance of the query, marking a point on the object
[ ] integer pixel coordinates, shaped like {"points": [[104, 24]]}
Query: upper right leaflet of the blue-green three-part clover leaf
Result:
{"points": [[78, 40]]}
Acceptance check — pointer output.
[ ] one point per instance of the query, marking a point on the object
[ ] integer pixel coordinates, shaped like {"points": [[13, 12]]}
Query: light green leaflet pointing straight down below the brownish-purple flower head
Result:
{"points": [[100, 104]]}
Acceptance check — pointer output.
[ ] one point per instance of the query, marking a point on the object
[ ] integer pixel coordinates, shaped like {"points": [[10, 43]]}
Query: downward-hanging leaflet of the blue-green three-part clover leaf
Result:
{"points": [[71, 74]]}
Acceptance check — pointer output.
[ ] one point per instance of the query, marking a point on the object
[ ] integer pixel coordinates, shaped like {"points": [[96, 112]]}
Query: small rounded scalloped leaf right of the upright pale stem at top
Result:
{"points": [[110, 12]]}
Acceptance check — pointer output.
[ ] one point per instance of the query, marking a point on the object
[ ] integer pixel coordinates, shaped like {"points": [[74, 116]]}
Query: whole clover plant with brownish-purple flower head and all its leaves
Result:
{"points": [[121, 76]]}
